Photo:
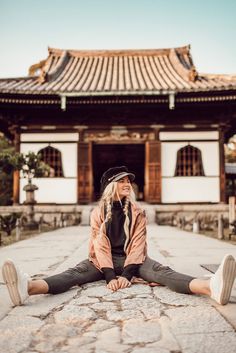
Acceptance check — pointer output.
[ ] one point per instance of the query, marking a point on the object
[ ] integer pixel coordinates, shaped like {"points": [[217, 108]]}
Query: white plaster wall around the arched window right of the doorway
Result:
{"points": [[190, 189]]}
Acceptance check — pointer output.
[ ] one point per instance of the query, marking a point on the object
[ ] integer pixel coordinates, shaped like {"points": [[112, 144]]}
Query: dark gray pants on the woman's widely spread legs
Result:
{"points": [[150, 271]]}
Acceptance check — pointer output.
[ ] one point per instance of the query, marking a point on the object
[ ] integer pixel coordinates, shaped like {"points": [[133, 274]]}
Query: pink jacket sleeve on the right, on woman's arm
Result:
{"points": [[137, 248]]}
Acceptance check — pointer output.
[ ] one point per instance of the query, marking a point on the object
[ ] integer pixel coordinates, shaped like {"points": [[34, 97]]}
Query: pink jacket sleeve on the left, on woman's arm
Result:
{"points": [[100, 242]]}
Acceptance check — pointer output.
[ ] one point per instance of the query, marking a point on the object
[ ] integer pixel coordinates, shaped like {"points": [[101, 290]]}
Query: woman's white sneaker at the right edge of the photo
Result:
{"points": [[222, 281]]}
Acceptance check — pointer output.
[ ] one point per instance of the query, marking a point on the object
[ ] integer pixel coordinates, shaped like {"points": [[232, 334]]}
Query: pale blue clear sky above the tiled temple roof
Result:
{"points": [[29, 27]]}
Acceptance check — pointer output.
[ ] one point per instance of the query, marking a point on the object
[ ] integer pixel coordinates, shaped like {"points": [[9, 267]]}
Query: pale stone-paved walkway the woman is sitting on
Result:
{"points": [[139, 319]]}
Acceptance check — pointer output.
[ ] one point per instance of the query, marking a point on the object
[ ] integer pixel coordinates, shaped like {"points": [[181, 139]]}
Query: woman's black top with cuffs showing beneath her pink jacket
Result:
{"points": [[116, 234]]}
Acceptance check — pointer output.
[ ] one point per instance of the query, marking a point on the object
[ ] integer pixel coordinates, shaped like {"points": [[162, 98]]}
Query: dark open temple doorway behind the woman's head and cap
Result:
{"points": [[131, 155]]}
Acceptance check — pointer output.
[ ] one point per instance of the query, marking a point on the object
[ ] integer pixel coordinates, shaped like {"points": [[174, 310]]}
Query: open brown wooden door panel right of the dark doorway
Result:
{"points": [[153, 172]]}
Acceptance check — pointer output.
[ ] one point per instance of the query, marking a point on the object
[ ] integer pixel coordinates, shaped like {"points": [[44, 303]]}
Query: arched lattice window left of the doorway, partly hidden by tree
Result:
{"points": [[52, 157]]}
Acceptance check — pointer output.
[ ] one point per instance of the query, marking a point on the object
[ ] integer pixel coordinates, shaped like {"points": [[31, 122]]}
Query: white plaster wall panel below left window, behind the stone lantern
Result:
{"points": [[53, 190]]}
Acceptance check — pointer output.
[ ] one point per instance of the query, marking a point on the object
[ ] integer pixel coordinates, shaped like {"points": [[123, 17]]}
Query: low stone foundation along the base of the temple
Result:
{"points": [[182, 216]]}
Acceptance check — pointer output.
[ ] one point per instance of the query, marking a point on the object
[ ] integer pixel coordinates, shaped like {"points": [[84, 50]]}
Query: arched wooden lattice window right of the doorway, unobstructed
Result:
{"points": [[189, 162]]}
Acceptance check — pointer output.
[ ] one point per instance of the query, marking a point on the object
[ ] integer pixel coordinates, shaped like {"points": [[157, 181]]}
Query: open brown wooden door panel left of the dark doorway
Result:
{"points": [[85, 172]]}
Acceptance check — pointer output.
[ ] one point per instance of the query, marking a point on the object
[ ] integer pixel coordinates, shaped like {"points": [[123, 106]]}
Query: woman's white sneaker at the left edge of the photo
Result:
{"points": [[16, 282]]}
